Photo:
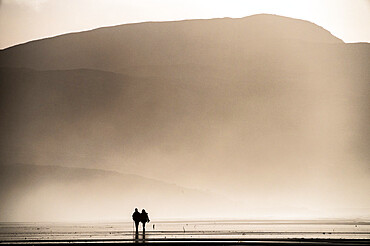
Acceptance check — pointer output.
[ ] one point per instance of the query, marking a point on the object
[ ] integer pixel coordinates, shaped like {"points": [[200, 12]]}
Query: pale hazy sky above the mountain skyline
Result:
{"points": [[25, 20]]}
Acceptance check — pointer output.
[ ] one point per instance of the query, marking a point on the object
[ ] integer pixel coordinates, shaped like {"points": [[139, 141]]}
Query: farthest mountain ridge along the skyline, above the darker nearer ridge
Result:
{"points": [[197, 42]]}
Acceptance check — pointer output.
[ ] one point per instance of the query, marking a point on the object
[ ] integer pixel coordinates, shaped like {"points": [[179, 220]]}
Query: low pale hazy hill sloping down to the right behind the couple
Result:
{"points": [[32, 193]]}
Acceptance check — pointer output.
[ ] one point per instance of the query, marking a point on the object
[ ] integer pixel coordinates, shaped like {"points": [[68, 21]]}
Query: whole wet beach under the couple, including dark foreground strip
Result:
{"points": [[190, 232]]}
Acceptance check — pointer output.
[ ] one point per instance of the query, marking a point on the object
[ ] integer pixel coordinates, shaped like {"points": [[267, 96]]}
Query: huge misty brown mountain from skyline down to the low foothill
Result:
{"points": [[266, 110]]}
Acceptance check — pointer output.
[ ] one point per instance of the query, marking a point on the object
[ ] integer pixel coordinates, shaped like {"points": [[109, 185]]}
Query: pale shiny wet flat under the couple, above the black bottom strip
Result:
{"points": [[176, 230]]}
